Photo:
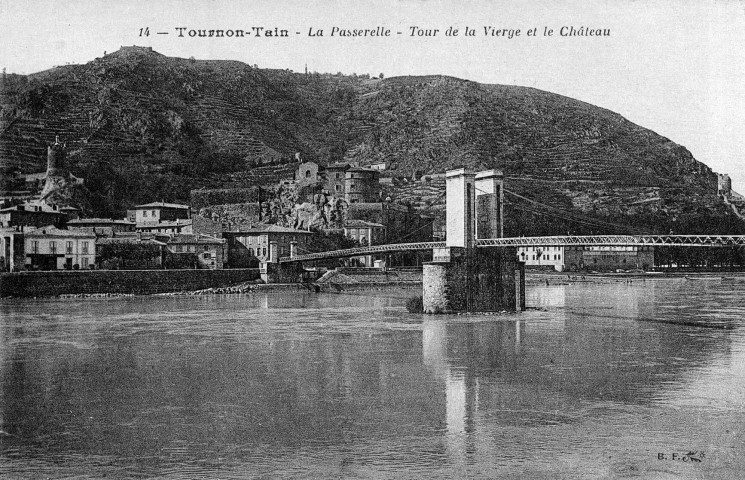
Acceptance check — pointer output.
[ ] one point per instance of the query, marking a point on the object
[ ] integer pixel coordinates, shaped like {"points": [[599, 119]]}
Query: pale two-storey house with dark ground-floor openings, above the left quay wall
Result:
{"points": [[51, 248]]}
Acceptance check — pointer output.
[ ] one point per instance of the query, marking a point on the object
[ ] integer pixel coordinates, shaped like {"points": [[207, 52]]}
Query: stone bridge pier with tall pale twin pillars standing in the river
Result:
{"points": [[461, 277]]}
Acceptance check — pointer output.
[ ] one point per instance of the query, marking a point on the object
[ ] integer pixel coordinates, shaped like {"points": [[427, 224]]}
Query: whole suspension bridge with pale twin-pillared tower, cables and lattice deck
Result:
{"points": [[476, 267]]}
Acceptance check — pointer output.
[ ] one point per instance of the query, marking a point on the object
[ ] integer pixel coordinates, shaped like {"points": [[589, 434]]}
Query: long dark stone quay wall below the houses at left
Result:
{"points": [[138, 282]]}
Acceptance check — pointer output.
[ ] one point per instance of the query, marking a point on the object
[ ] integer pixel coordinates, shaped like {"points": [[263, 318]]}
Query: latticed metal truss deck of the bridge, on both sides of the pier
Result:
{"points": [[561, 241]]}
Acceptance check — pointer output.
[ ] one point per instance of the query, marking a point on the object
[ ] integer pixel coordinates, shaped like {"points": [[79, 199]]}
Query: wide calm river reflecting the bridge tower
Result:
{"points": [[591, 383]]}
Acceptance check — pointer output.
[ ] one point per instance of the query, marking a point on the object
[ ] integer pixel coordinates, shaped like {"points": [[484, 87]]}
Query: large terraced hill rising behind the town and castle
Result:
{"points": [[141, 126]]}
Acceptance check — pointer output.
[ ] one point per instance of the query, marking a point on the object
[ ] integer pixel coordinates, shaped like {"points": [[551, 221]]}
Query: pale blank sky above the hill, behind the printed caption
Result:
{"points": [[675, 67]]}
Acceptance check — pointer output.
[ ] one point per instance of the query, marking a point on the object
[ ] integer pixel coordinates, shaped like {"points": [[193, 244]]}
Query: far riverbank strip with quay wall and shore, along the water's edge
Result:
{"points": [[115, 283]]}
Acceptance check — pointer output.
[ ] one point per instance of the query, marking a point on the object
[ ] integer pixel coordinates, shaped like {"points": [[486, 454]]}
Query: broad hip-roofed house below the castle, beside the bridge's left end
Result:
{"points": [[250, 246]]}
